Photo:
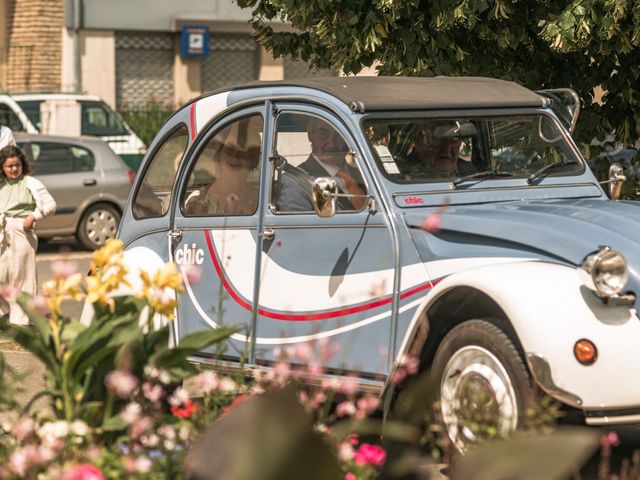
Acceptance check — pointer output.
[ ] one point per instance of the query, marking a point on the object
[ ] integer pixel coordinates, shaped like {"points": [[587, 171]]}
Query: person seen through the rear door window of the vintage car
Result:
{"points": [[231, 192]]}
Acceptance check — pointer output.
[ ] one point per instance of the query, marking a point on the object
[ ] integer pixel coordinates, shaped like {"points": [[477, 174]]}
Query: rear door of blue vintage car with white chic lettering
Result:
{"points": [[215, 229]]}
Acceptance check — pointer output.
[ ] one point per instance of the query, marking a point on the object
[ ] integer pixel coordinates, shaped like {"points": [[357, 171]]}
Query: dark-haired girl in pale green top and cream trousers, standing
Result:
{"points": [[23, 201]]}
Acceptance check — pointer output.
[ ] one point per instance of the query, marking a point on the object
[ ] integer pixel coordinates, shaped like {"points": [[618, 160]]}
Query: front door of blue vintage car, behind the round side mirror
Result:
{"points": [[325, 283]]}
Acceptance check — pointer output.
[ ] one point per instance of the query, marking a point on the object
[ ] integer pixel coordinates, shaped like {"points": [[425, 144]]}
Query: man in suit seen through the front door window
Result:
{"points": [[327, 159]]}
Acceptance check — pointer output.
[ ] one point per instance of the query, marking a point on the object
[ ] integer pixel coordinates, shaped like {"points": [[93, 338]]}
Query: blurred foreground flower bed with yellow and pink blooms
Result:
{"points": [[119, 403]]}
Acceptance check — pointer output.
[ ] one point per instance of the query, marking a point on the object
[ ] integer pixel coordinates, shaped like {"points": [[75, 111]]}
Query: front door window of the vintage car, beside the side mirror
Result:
{"points": [[308, 147]]}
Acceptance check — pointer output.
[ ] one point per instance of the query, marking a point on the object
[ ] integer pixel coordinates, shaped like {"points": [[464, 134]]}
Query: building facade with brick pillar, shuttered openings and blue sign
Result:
{"points": [[129, 51]]}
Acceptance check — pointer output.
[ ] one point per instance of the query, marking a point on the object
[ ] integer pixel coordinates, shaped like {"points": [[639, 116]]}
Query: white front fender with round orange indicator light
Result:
{"points": [[551, 306]]}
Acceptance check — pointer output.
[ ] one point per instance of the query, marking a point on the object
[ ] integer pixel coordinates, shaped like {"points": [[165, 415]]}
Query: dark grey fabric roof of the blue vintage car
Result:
{"points": [[414, 93]]}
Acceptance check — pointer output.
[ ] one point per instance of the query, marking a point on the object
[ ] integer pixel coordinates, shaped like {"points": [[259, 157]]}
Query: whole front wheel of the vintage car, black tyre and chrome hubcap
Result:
{"points": [[484, 385]]}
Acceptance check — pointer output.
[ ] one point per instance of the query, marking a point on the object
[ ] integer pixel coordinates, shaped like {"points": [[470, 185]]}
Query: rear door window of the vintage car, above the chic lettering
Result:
{"points": [[225, 178]]}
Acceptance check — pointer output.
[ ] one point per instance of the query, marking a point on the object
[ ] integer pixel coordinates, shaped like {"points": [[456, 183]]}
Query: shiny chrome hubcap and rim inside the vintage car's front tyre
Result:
{"points": [[476, 397]]}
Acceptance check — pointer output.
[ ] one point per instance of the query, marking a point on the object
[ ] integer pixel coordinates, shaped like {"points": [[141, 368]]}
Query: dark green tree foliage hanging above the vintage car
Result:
{"points": [[538, 43]]}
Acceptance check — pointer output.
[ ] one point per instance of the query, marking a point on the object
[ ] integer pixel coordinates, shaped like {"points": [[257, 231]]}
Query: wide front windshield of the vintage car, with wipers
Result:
{"points": [[389, 163]]}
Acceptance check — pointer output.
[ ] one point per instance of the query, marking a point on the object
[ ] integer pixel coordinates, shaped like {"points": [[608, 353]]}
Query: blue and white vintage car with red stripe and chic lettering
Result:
{"points": [[449, 218]]}
